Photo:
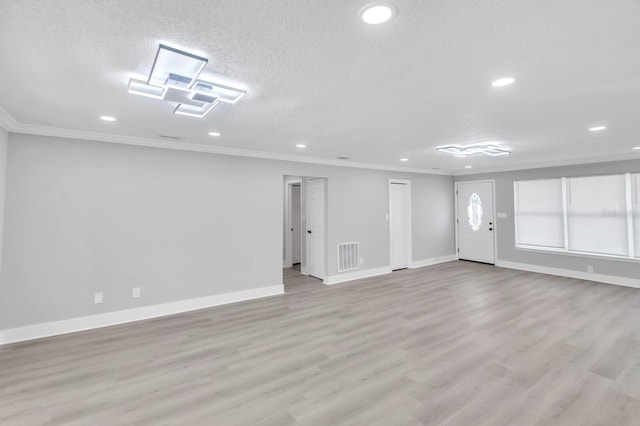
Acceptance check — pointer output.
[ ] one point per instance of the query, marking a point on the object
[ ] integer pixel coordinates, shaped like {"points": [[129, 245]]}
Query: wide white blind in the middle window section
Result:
{"points": [[597, 215]]}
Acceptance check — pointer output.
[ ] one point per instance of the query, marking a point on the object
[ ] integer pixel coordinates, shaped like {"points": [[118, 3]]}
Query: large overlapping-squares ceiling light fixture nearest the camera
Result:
{"points": [[174, 77]]}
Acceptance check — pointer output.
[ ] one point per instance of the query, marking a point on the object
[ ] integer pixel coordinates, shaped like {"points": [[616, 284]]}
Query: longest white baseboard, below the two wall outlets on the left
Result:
{"points": [[55, 328]]}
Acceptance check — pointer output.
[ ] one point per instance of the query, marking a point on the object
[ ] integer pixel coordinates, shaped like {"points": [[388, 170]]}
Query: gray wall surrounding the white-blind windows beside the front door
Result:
{"points": [[506, 228]]}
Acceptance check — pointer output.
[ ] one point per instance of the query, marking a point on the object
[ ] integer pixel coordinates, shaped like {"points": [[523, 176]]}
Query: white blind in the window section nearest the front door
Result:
{"points": [[539, 213]]}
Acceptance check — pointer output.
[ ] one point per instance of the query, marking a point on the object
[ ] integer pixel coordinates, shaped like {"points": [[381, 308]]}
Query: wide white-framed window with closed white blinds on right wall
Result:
{"points": [[594, 214]]}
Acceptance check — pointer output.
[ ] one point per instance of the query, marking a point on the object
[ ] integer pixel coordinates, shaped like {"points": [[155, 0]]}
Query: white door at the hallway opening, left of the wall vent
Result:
{"points": [[315, 227]]}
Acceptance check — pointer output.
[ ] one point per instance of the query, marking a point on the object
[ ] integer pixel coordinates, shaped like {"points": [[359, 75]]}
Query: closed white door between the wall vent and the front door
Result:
{"points": [[399, 225]]}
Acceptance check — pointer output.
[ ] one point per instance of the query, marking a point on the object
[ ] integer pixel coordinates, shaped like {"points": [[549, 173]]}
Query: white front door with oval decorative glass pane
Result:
{"points": [[475, 221]]}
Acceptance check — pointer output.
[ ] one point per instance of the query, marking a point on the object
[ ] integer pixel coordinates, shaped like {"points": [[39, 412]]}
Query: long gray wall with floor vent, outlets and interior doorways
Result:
{"points": [[85, 216]]}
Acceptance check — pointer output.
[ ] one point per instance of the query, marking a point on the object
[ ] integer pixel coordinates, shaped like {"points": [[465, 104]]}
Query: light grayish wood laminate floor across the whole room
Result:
{"points": [[453, 344]]}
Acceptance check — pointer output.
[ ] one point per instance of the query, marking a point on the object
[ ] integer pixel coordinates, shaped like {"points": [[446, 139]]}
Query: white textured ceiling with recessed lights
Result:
{"points": [[317, 74]]}
